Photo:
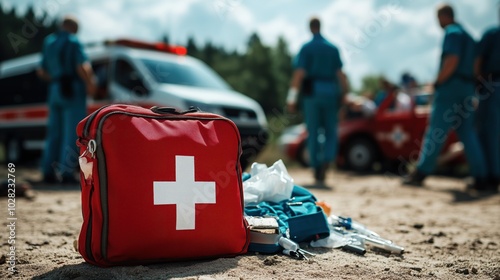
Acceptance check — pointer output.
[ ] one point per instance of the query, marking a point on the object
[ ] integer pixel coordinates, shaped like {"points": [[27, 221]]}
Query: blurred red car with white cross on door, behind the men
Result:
{"points": [[389, 135]]}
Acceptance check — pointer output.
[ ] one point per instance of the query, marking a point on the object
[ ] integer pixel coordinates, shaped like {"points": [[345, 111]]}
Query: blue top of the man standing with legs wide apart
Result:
{"points": [[458, 42]]}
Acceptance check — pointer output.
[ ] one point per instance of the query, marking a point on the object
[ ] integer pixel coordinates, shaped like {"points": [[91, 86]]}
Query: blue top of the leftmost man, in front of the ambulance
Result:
{"points": [[51, 54]]}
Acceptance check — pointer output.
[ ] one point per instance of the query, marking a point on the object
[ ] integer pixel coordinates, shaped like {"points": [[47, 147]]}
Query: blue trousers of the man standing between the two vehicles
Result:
{"points": [[321, 113]]}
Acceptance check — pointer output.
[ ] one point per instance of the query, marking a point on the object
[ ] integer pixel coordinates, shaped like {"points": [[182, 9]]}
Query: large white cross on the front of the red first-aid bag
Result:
{"points": [[184, 192]]}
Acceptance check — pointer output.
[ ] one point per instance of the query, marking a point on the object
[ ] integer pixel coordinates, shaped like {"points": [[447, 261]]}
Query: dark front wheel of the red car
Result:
{"points": [[360, 154]]}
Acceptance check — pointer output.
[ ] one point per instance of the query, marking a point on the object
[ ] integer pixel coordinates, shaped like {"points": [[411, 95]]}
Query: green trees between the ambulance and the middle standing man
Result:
{"points": [[262, 72]]}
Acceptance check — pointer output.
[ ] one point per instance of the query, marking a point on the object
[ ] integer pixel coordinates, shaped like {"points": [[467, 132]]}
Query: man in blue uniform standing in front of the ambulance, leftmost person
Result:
{"points": [[69, 74]]}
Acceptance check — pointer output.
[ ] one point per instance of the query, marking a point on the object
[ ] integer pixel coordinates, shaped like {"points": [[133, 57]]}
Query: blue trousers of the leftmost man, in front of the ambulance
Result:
{"points": [[61, 154]]}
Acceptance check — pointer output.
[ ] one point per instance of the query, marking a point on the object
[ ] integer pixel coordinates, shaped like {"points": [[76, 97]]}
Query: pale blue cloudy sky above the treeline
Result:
{"points": [[375, 37]]}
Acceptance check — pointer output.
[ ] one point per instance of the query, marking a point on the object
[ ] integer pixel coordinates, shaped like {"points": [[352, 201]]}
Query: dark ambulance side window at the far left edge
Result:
{"points": [[22, 89]]}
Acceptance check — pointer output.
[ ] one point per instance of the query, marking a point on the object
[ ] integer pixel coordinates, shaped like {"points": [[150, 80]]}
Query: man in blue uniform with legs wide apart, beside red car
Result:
{"points": [[454, 103]]}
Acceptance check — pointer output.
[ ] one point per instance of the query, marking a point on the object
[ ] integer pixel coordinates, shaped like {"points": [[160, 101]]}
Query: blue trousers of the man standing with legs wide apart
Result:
{"points": [[452, 109]]}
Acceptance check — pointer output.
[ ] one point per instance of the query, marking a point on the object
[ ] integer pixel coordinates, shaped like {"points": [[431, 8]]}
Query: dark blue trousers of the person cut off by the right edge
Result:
{"points": [[488, 123]]}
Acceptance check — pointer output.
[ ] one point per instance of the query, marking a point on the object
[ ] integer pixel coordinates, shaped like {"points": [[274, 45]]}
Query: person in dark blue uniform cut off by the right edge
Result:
{"points": [[488, 114]]}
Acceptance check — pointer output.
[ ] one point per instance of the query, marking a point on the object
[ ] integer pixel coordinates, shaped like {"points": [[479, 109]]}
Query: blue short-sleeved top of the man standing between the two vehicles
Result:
{"points": [[319, 58]]}
